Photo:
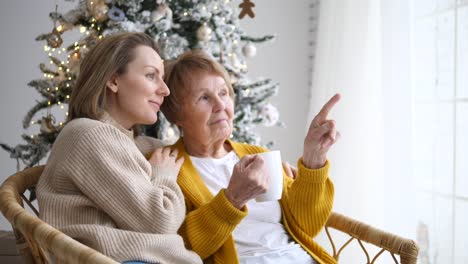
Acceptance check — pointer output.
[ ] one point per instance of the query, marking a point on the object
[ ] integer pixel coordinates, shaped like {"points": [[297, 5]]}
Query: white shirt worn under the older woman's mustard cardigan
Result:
{"points": [[260, 237]]}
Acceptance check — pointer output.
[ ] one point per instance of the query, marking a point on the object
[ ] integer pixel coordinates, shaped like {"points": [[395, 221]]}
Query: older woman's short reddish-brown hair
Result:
{"points": [[180, 75]]}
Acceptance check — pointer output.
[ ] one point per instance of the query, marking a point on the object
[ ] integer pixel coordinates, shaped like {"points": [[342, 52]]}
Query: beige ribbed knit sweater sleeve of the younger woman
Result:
{"points": [[108, 168]]}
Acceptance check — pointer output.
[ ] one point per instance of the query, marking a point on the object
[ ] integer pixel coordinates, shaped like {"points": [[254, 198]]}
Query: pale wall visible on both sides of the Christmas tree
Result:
{"points": [[284, 61]]}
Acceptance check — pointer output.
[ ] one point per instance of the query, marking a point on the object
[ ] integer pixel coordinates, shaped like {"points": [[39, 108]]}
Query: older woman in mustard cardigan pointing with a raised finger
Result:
{"points": [[220, 178]]}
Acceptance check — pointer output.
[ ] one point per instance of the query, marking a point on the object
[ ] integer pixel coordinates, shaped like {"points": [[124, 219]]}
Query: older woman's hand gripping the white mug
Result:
{"points": [[249, 179]]}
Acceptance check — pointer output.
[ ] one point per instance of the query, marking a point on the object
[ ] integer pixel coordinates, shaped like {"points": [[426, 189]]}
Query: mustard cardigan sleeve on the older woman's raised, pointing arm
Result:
{"points": [[308, 200]]}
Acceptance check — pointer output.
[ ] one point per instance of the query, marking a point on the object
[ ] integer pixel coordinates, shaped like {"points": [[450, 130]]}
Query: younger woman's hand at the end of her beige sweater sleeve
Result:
{"points": [[165, 161]]}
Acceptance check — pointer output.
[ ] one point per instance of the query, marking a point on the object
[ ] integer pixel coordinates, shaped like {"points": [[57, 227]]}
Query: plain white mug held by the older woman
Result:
{"points": [[274, 166]]}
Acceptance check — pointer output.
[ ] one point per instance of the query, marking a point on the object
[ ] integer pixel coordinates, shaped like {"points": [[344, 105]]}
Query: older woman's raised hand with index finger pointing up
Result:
{"points": [[321, 136]]}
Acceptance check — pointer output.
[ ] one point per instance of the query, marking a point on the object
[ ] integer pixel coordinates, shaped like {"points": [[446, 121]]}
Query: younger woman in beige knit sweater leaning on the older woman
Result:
{"points": [[97, 186]]}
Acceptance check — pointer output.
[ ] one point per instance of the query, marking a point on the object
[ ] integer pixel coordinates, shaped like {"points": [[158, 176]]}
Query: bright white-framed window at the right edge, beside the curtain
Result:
{"points": [[440, 150]]}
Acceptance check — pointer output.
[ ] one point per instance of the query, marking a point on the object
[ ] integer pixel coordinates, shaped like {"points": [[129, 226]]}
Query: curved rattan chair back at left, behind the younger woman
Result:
{"points": [[37, 240]]}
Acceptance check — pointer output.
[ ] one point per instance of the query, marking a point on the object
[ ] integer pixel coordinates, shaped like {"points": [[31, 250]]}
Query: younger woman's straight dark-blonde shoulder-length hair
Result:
{"points": [[109, 57]]}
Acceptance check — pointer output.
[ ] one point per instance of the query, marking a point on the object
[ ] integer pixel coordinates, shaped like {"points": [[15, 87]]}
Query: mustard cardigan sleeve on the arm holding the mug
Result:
{"points": [[207, 228]]}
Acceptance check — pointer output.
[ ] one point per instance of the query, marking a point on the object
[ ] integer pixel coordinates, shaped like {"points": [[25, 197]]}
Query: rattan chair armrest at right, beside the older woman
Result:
{"points": [[407, 249]]}
